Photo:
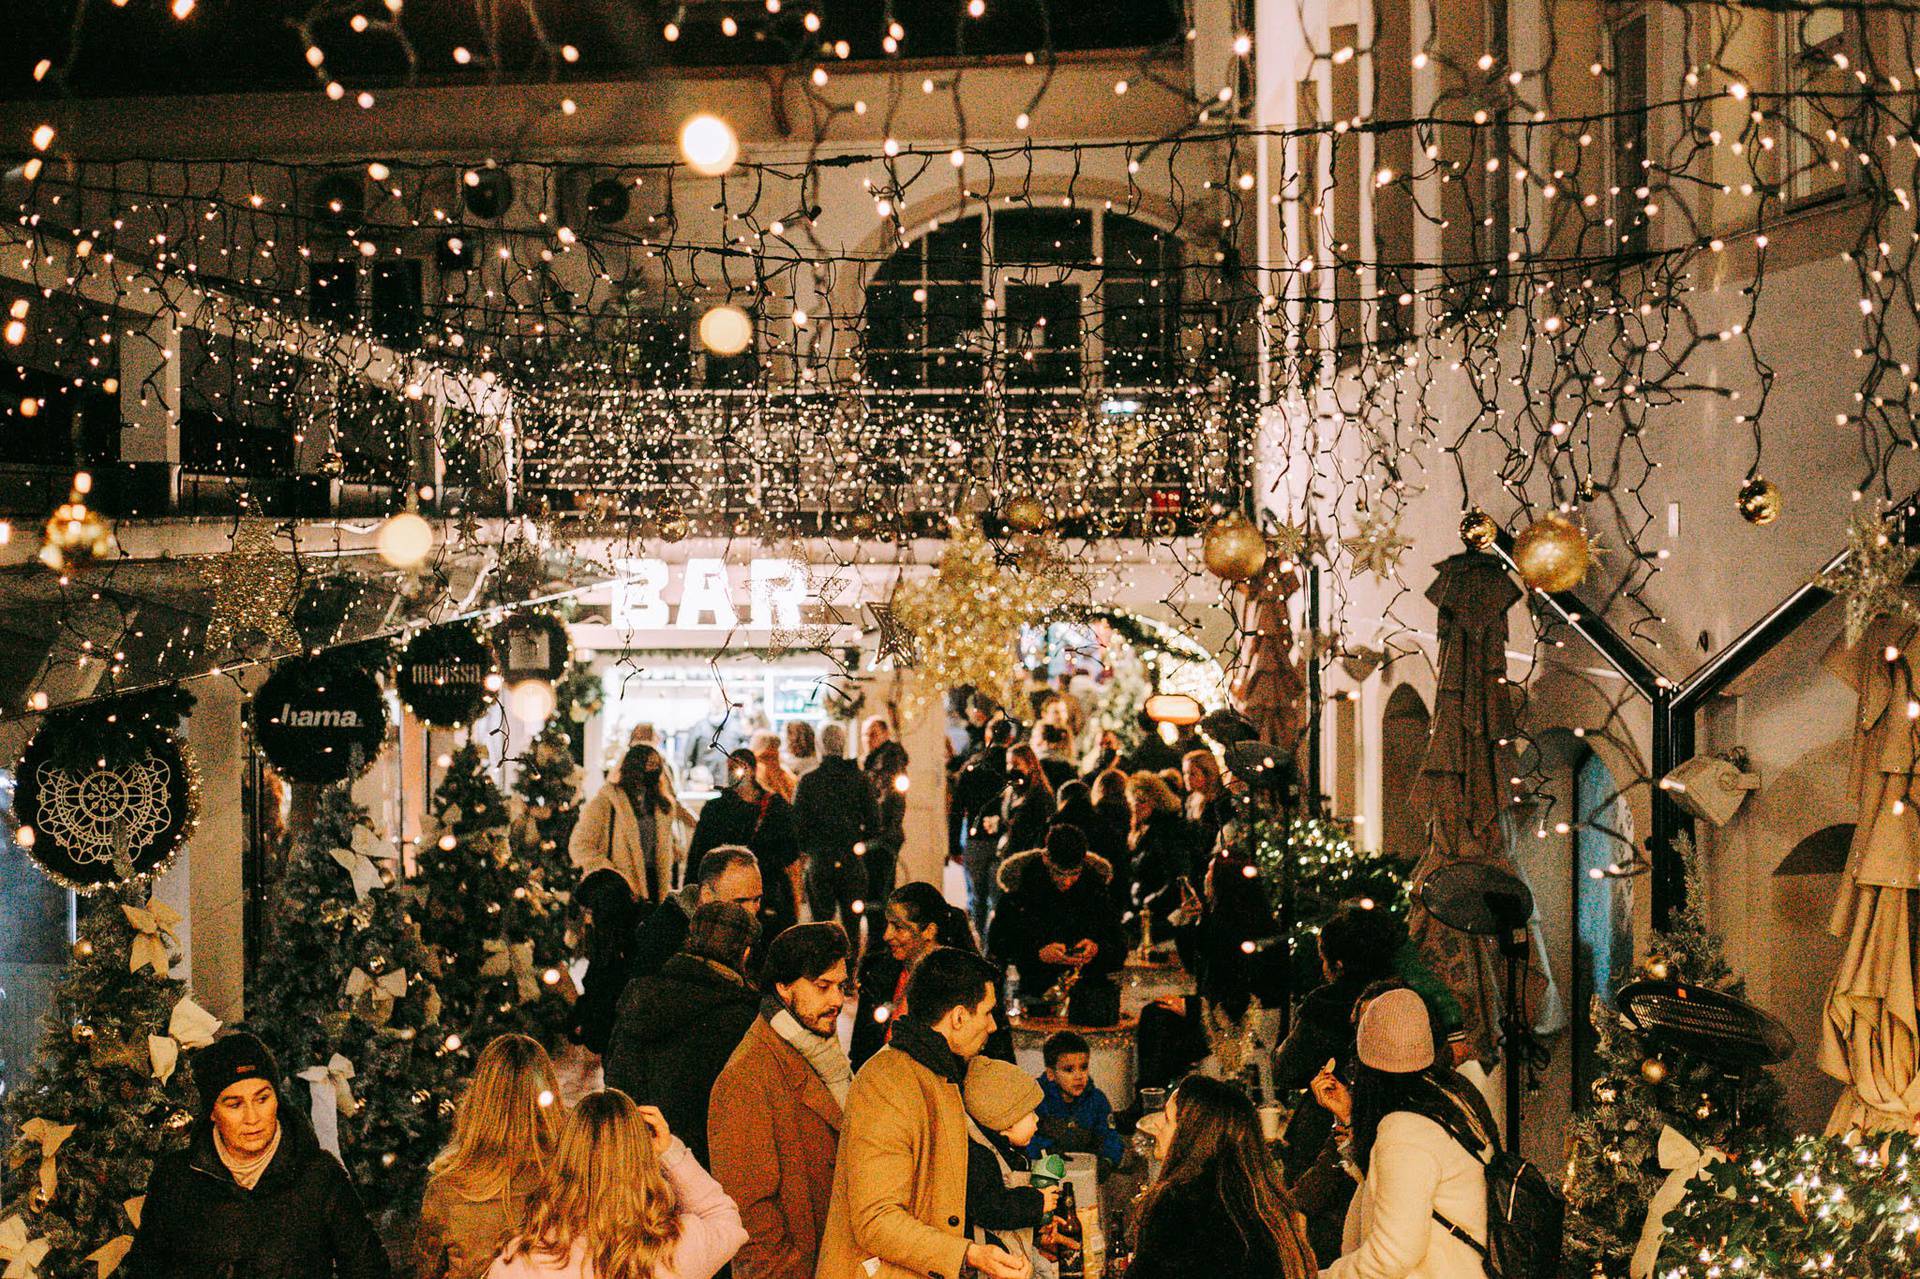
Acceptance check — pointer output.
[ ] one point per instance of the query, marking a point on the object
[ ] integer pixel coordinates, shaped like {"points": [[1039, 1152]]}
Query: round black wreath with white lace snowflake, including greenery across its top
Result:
{"points": [[107, 790]]}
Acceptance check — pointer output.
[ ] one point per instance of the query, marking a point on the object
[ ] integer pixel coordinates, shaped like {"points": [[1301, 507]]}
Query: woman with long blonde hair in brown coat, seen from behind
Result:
{"points": [[504, 1138]]}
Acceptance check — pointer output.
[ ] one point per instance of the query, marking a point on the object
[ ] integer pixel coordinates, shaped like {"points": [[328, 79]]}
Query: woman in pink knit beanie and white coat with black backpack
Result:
{"points": [[1399, 1134]]}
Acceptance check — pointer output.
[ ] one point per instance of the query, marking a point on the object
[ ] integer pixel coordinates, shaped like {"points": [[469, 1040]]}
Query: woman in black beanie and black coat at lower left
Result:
{"points": [[252, 1197]]}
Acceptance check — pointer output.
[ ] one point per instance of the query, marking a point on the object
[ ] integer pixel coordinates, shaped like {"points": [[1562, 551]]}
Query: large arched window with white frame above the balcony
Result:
{"points": [[1038, 299]]}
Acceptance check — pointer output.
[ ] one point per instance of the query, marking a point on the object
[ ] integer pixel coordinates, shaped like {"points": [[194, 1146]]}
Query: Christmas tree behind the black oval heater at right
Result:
{"points": [[1616, 1169]]}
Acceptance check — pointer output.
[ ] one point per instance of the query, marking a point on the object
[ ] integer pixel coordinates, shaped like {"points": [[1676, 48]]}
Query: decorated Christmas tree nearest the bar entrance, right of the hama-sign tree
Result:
{"points": [[496, 925]]}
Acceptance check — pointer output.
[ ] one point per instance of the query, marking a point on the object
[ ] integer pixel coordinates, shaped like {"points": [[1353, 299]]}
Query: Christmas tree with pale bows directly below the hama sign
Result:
{"points": [[350, 986]]}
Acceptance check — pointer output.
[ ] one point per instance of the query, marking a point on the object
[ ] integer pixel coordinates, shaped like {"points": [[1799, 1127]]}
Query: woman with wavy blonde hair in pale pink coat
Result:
{"points": [[623, 1201]]}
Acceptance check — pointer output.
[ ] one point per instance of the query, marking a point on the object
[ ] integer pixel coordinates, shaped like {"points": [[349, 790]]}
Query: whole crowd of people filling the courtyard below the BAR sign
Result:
{"points": [[836, 1096]]}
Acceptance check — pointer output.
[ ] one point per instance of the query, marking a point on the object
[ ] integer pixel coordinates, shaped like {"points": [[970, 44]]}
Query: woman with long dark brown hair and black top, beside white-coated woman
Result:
{"points": [[1220, 1209]]}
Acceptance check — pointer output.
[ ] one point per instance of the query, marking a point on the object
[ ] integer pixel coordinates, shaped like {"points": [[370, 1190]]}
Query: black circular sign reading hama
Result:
{"points": [[320, 721]]}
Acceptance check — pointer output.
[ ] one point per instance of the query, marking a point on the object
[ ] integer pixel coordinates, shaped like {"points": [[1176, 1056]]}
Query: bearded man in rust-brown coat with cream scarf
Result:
{"points": [[775, 1119]]}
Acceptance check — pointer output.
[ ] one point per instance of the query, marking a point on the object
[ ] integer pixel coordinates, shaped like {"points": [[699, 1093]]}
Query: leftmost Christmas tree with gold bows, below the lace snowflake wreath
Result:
{"points": [[110, 1094]]}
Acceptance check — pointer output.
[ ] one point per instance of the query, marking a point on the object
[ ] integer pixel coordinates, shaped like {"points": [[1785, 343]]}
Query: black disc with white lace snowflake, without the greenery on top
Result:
{"points": [[103, 823]]}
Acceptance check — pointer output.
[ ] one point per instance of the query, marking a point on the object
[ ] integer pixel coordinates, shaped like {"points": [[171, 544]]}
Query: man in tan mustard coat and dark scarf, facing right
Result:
{"points": [[900, 1188]]}
